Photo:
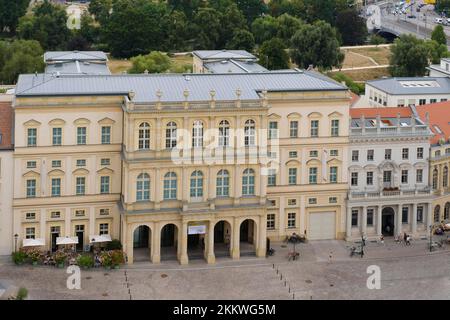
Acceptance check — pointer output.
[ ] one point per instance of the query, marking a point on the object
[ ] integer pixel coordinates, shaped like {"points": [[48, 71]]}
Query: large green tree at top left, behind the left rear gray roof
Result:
{"points": [[48, 25]]}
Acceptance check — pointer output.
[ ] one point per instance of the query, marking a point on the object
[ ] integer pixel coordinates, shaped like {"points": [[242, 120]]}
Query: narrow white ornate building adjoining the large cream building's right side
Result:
{"points": [[388, 174]]}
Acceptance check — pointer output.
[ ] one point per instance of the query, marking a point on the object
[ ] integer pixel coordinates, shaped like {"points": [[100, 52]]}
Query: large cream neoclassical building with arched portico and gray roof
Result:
{"points": [[180, 166]]}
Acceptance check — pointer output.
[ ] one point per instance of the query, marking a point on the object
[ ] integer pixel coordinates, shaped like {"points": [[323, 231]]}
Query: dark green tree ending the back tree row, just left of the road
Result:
{"points": [[352, 27]]}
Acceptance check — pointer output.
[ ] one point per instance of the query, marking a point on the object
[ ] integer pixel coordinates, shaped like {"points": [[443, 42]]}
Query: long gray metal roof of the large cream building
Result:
{"points": [[173, 85]]}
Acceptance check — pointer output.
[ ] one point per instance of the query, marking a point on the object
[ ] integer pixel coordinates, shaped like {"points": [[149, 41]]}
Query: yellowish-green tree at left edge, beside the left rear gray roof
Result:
{"points": [[20, 56]]}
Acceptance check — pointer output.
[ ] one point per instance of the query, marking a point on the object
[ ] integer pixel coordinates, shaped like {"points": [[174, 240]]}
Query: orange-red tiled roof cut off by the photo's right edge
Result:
{"points": [[439, 114]]}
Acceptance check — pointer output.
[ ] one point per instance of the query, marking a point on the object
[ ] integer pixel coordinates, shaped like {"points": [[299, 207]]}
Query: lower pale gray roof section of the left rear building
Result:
{"points": [[77, 67]]}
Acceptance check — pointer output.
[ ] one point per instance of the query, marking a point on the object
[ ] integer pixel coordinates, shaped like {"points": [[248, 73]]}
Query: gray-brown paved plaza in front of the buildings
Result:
{"points": [[325, 270]]}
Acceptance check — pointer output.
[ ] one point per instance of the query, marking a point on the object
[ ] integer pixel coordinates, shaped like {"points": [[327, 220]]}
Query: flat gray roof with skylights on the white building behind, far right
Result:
{"points": [[412, 85]]}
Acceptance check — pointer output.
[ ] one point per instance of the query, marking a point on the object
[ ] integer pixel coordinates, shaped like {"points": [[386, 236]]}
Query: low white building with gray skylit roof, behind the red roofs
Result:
{"points": [[404, 92]]}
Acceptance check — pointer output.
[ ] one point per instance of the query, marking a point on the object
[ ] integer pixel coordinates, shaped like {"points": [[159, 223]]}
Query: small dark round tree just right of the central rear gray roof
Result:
{"points": [[273, 55]]}
